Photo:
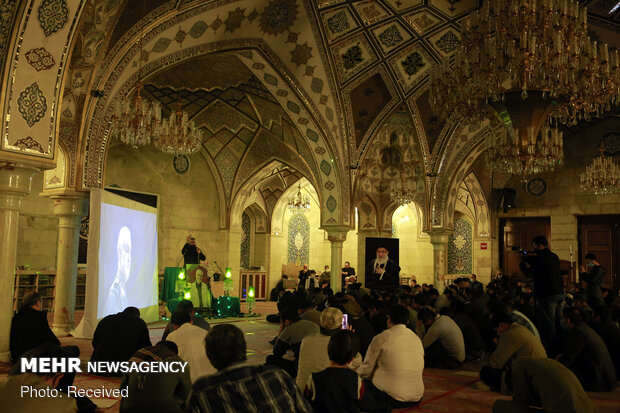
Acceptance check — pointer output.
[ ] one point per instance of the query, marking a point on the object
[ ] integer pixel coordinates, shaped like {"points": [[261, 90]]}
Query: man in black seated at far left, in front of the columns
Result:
{"points": [[29, 327]]}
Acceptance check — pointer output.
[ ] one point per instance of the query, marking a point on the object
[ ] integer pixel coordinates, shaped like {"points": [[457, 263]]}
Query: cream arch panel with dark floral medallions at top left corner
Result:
{"points": [[45, 34]]}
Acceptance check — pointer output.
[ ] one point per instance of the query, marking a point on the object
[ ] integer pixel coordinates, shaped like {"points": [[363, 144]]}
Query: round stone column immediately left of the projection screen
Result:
{"points": [[70, 210]]}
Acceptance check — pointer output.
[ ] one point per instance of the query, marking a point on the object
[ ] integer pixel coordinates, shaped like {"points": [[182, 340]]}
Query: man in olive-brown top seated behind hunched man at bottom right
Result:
{"points": [[514, 341]]}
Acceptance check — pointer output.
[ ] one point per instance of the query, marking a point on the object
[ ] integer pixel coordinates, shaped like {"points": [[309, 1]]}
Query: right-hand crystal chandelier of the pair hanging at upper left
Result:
{"points": [[178, 134]]}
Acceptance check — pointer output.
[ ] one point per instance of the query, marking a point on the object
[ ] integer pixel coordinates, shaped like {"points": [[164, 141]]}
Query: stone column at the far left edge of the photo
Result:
{"points": [[15, 183]]}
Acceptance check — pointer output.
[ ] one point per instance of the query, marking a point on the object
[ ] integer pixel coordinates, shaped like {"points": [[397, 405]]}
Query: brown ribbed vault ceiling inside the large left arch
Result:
{"points": [[234, 110]]}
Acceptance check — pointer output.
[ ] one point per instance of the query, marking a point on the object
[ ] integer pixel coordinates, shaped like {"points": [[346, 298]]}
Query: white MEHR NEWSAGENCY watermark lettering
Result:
{"points": [[72, 365]]}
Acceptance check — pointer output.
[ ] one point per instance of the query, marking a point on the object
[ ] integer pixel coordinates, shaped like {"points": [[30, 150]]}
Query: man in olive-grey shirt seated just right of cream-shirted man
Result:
{"points": [[444, 345]]}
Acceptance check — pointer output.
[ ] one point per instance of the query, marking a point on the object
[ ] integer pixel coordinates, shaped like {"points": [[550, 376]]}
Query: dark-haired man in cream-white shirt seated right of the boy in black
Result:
{"points": [[394, 362]]}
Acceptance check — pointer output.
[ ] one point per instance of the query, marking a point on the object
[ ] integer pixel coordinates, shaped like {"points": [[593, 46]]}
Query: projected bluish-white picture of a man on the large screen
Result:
{"points": [[127, 259]]}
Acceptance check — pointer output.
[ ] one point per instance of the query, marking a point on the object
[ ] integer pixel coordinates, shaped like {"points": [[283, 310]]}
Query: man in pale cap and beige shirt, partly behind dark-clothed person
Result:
{"points": [[313, 355]]}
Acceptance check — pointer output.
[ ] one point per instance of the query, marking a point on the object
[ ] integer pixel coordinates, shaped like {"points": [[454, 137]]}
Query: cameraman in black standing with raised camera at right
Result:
{"points": [[544, 267]]}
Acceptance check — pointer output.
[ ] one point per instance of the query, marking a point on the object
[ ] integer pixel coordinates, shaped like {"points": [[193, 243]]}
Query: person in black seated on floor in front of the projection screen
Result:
{"points": [[118, 336]]}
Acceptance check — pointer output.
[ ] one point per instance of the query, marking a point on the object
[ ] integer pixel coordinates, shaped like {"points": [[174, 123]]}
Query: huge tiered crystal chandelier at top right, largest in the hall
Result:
{"points": [[528, 66]]}
